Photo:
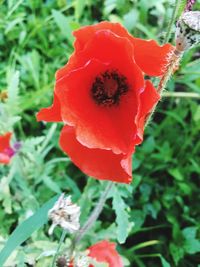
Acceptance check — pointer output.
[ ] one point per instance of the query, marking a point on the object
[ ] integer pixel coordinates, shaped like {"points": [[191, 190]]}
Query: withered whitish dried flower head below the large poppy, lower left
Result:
{"points": [[65, 214]]}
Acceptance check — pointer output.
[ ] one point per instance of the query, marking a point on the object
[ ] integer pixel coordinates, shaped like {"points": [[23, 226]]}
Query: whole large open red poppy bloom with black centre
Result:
{"points": [[103, 99]]}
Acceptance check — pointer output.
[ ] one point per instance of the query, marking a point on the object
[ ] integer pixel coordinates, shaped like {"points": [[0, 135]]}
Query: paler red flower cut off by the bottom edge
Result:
{"points": [[105, 251]]}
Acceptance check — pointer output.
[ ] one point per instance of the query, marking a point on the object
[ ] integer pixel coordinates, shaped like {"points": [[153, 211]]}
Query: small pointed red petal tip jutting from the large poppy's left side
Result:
{"points": [[50, 114]]}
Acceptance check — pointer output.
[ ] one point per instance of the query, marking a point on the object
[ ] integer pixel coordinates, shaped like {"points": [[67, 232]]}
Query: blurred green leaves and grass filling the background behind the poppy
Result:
{"points": [[159, 214]]}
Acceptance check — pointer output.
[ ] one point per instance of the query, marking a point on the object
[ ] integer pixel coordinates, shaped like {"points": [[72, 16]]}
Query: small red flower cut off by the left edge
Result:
{"points": [[6, 152]]}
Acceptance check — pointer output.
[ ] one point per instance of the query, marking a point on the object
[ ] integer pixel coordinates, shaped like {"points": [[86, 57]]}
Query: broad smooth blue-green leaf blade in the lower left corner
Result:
{"points": [[25, 230]]}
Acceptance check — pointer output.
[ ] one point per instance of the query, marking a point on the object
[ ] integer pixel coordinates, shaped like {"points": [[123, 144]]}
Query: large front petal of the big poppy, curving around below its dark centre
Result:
{"points": [[96, 126]]}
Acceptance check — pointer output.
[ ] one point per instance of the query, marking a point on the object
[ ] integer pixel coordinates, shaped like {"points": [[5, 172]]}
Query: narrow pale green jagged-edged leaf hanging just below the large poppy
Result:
{"points": [[121, 216]]}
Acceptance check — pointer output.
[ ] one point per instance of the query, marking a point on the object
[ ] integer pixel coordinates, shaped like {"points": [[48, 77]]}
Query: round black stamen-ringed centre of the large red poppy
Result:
{"points": [[108, 88]]}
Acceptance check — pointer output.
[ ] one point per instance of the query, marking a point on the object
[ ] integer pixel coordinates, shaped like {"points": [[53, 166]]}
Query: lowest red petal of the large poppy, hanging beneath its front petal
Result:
{"points": [[98, 163]]}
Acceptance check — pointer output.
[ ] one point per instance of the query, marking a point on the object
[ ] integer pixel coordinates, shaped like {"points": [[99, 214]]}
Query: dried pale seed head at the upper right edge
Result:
{"points": [[188, 31]]}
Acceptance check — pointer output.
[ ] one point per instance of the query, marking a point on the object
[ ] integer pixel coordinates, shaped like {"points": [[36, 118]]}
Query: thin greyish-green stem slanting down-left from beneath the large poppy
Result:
{"points": [[94, 215]]}
